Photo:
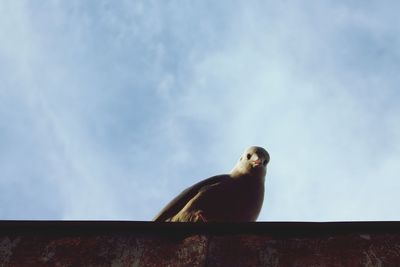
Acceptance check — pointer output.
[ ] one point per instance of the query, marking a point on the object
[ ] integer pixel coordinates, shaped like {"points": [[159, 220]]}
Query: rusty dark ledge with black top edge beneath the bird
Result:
{"points": [[176, 244]]}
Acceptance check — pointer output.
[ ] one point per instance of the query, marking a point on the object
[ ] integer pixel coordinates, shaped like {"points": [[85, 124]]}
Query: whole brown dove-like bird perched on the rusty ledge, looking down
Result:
{"points": [[234, 197]]}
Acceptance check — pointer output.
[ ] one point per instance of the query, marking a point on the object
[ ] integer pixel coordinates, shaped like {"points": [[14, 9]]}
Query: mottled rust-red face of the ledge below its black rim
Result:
{"points": [[126, 248]]}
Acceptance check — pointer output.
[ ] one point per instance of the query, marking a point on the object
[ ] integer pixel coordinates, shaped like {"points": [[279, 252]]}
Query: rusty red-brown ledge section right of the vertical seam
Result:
{"points": [[348, 250]]}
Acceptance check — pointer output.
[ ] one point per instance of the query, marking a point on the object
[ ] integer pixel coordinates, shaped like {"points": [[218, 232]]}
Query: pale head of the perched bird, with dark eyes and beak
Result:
{"points": [[253, 161]]}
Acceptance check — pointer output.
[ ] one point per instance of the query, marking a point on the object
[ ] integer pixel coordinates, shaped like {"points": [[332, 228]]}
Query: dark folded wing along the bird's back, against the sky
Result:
{"points": [[183, 198]]}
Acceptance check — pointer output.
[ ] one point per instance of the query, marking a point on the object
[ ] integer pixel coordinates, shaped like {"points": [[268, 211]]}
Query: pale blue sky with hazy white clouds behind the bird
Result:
{"points": [[108, 109]]}
